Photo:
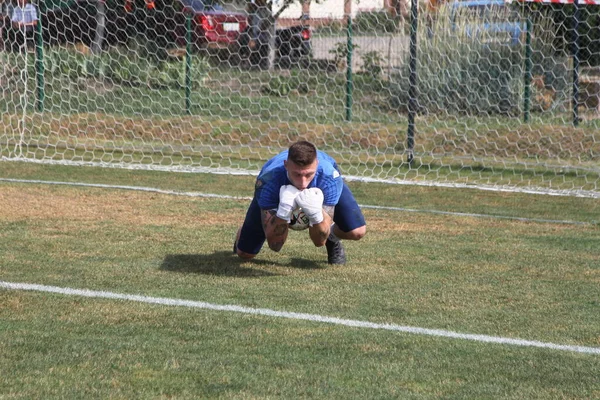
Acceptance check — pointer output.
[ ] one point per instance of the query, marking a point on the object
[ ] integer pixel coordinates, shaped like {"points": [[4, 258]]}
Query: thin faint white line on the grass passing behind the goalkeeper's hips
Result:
{"points": [[227, 197]]}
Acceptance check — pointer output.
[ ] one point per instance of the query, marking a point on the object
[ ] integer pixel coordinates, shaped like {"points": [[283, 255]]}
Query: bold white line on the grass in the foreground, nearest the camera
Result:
{"points": [[296, 316]]}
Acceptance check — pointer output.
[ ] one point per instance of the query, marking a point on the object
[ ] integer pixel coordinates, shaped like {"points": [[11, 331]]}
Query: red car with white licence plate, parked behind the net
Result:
{"points": [[213, 27]]}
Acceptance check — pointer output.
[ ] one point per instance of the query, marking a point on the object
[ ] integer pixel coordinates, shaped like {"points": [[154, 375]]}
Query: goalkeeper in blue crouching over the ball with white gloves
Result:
{"points": [[305, 177]]}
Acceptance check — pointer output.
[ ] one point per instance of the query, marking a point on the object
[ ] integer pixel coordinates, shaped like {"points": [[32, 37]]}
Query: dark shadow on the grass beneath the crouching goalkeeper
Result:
{"points": [[224, 263]]}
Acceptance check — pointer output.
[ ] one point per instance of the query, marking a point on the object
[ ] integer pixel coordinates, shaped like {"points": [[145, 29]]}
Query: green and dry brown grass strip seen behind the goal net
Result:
{"points": [[235, 123]]}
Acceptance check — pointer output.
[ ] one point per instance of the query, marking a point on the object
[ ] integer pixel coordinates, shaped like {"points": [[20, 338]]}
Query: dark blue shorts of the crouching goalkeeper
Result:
{"points": [[347, 216]]}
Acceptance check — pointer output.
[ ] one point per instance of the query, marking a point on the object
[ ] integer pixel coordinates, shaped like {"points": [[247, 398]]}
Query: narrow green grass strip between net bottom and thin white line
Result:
{"points": [[410, 197]]}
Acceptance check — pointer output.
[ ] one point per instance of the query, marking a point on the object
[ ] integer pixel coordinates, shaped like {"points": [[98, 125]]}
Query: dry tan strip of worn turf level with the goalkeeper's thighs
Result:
{"points": [[86, 206]]}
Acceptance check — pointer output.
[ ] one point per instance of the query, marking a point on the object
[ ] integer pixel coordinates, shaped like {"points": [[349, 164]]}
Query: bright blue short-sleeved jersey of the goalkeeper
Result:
{"points": [[273, 175]]}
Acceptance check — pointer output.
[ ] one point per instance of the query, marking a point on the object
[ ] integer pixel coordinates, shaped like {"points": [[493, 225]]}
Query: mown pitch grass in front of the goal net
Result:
{"points": [[517, 279]]}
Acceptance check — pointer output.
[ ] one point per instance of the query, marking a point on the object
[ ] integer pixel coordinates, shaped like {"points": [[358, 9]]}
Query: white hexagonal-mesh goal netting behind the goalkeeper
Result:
{"points": [[127, 84]]}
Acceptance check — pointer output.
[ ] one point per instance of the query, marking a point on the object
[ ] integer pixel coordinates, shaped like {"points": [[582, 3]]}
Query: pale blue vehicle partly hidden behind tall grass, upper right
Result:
{"points": [[491, 20]]}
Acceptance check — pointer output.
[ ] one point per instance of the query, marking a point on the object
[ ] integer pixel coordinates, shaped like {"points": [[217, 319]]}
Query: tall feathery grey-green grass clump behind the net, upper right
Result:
{"points": [[463, 73]]}
